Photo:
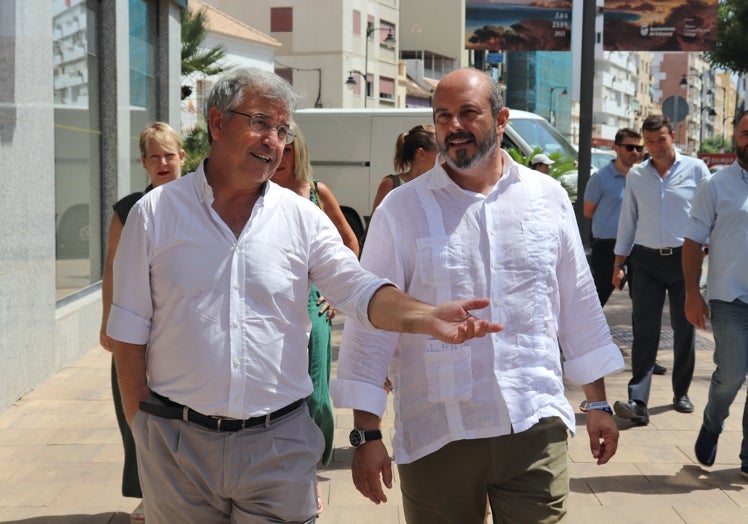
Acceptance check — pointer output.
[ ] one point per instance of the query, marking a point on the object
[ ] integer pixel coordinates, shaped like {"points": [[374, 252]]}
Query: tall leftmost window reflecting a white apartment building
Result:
{"points": [[77, 134]]}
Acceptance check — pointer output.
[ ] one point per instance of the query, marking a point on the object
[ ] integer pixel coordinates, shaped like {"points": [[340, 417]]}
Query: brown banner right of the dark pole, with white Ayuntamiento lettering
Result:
{"points": [[661, 25]]}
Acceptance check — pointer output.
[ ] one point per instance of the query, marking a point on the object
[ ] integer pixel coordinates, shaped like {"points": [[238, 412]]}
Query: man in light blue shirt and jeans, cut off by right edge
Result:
{"points": [[719, 216]]}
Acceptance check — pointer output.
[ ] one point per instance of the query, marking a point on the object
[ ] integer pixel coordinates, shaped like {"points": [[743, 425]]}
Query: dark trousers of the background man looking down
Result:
{"points": [[657, 275]]}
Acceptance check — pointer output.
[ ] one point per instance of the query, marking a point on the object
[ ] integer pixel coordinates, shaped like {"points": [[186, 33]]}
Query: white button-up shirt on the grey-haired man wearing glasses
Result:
{"points": [[225, 320]]}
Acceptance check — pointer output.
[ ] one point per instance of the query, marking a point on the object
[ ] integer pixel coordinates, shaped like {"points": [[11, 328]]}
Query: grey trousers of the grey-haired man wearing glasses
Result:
{"points": [[252, 476]]}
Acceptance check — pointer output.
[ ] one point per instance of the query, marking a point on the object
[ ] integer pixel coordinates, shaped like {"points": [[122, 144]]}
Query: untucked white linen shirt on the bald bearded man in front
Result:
{"points": [[520, 246]]}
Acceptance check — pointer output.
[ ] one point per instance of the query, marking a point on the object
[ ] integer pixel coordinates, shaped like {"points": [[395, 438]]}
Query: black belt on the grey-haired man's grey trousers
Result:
{"points": [[174, 410]]}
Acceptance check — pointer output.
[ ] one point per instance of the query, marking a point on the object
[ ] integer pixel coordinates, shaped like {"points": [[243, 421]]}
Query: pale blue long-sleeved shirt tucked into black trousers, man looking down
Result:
{"points": [[654, 212]]}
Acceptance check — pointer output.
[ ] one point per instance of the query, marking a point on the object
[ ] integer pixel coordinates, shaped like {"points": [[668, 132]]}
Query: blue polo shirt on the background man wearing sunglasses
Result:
{"points": [[605, 190]]}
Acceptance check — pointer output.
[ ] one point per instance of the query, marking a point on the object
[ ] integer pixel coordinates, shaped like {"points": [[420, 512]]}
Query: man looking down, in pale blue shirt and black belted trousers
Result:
{"points": [[654, 213]]}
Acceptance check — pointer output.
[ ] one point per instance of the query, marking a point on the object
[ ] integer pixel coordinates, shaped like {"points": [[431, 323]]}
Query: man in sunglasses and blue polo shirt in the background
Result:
{"points": [[602, 204]]}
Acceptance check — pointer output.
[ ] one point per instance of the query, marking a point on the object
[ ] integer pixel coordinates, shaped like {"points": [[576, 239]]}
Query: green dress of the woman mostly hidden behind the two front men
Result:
{"points": [[320, 363]]}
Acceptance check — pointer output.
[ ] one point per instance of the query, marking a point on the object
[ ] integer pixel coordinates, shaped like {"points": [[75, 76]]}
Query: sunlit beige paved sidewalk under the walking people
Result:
{"points": [[61, 455]]}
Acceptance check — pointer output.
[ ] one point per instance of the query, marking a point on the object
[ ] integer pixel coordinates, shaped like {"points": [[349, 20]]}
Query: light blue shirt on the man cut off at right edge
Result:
{"points": [[720, 216]]}
